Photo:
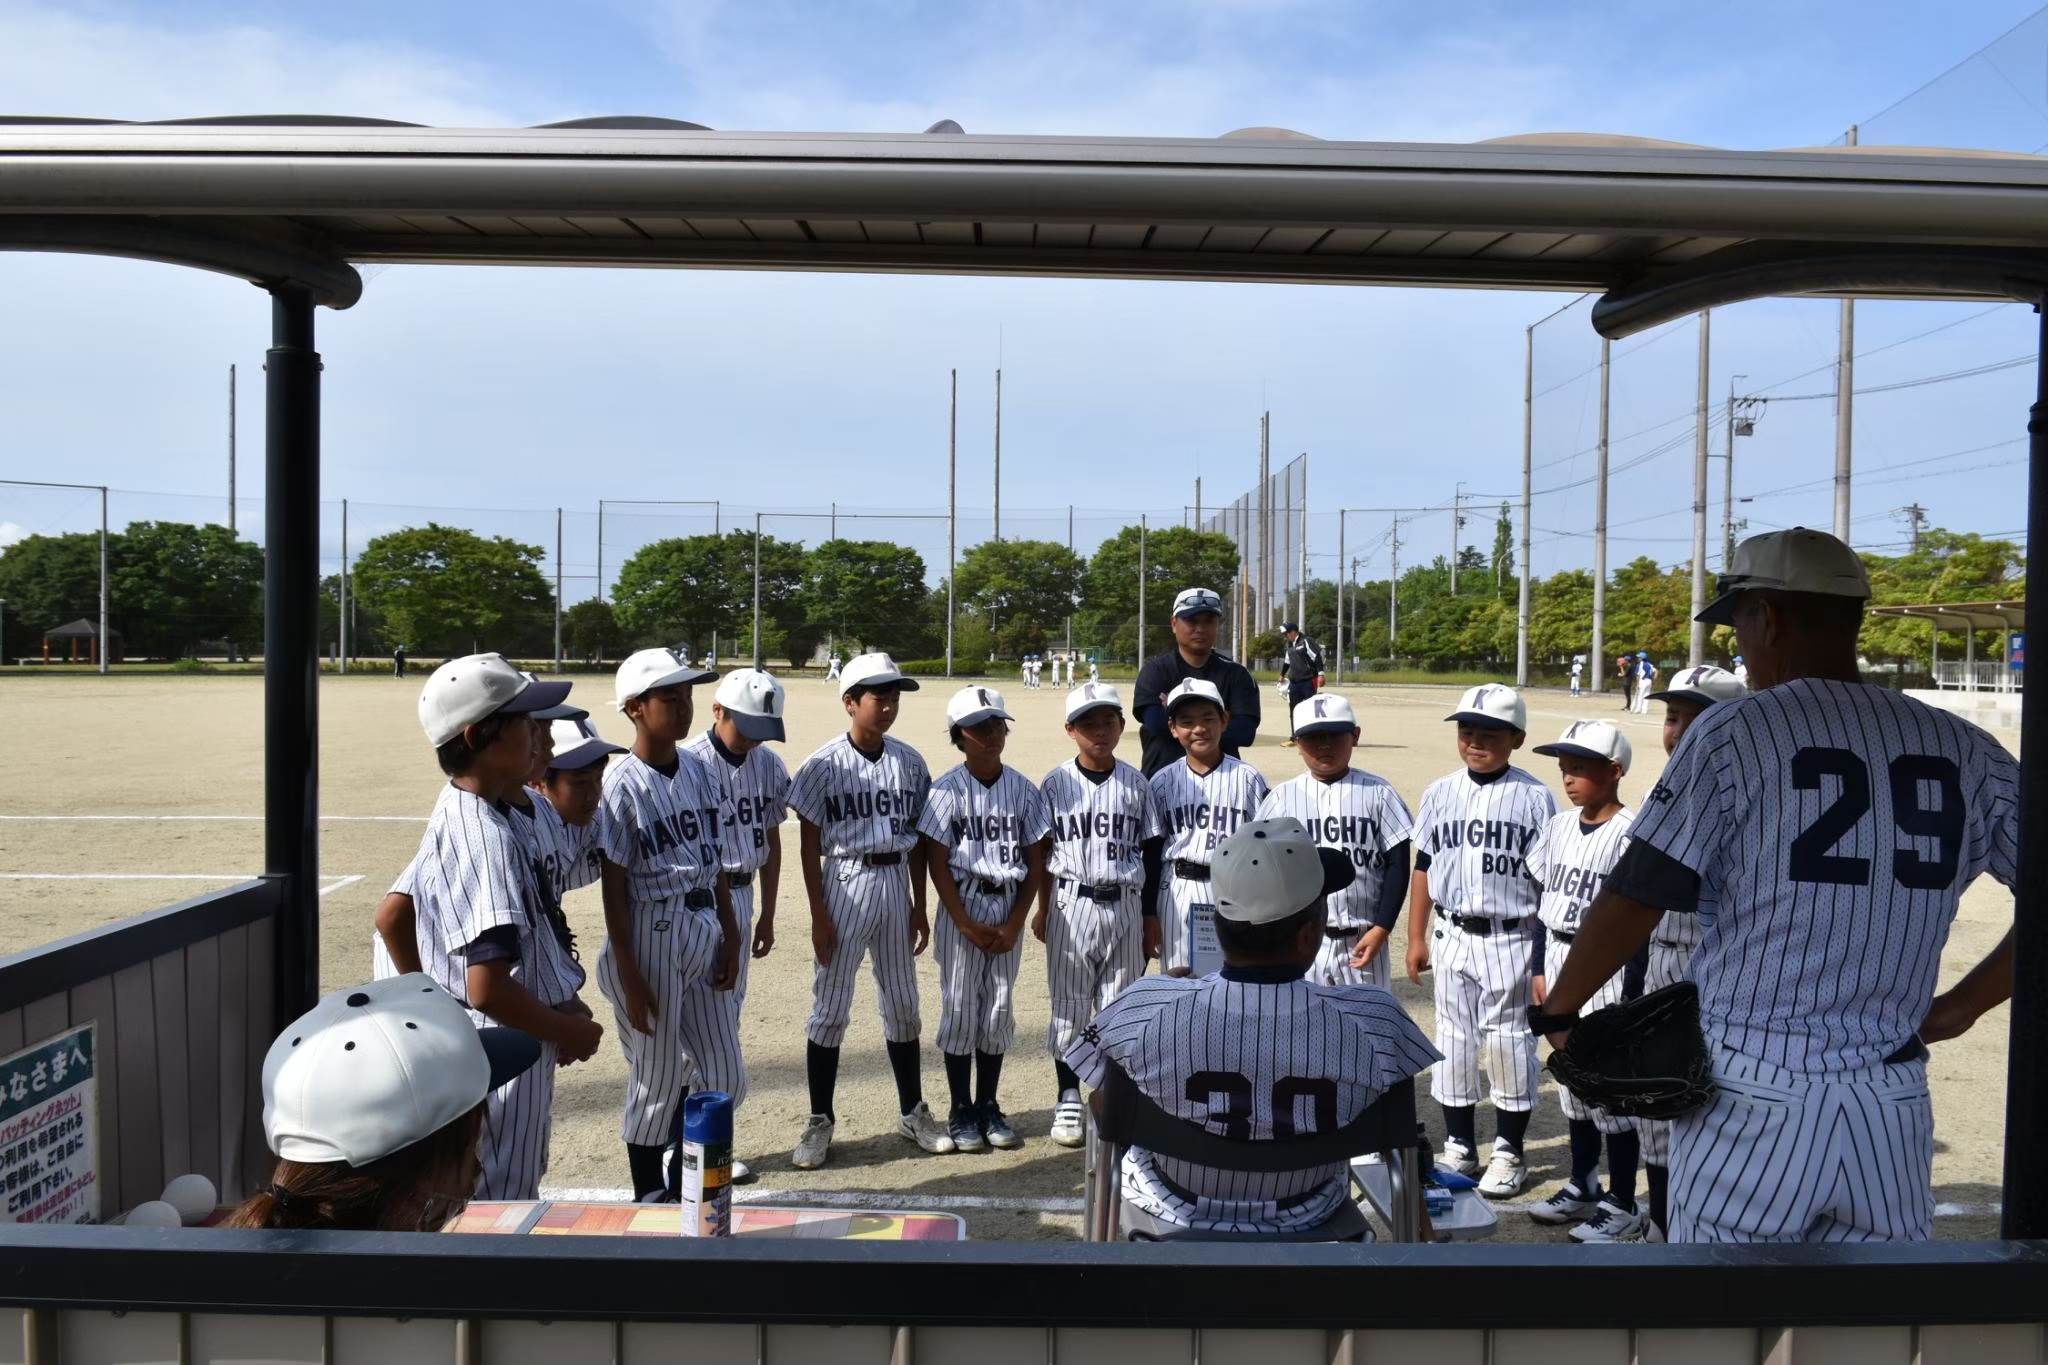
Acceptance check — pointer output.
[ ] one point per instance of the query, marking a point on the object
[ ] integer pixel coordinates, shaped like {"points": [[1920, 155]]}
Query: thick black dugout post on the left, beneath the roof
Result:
{"points": [[292, 646]]}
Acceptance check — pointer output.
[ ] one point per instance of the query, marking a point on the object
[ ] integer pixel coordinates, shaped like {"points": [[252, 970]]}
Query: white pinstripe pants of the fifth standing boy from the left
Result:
{"points": [[871, 914]]}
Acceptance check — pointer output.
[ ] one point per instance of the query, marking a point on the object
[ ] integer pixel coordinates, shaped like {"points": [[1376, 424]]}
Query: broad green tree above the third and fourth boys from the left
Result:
{"points": [[693, 586]]}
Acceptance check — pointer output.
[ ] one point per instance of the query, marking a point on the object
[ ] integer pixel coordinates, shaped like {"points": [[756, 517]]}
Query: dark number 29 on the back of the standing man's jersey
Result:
{"points": [[1811, 861]]}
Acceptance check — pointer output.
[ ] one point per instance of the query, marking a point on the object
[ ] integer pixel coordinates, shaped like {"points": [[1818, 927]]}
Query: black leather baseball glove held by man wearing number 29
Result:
{"points": [[1641, 1059]]}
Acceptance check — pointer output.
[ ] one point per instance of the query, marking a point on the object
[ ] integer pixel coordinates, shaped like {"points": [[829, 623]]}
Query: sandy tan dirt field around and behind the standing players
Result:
{"points": [[151, 789]]}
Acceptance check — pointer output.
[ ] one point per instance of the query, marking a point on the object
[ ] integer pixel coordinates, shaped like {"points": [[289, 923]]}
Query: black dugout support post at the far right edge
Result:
{"points": [[2024, 1202]]}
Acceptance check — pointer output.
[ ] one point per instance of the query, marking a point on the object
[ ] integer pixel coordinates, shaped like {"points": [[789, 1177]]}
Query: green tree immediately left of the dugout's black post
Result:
{"points": [[183, 584]]}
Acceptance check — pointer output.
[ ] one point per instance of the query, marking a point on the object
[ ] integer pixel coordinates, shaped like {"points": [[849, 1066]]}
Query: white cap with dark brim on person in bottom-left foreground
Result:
{"points": [[380, 1067]]}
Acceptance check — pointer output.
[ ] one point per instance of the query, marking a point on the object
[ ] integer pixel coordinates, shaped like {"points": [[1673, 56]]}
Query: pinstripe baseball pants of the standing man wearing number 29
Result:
{"points": [[1787, 1157]]}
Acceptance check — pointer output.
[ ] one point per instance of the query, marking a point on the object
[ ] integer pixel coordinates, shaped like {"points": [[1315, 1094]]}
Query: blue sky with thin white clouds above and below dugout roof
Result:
{"points": [[534, 390]]}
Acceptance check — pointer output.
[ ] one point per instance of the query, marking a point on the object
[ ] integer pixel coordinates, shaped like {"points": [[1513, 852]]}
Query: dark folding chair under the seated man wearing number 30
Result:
{"points": [[1125, 1118]]}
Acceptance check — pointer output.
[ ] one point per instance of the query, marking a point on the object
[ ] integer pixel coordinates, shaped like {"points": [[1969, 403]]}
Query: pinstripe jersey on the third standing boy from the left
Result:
{"points": [[665, 830]]}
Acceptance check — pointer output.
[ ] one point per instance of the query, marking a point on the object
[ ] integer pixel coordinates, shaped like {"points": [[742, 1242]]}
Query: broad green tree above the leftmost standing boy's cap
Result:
{"points": [[447, 590]]}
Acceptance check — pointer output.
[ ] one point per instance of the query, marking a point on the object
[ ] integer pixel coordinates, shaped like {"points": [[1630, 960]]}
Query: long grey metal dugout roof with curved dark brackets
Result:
{"points": [[1660, 228]]}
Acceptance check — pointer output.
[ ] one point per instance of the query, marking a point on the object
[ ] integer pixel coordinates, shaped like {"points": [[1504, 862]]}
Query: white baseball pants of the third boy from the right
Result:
{"points": [[1482, 1014]]}
